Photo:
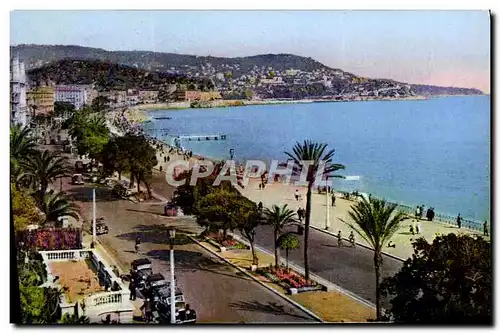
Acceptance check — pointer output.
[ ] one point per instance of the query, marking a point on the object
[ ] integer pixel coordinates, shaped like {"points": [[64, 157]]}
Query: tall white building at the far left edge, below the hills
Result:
{"points": [[18, 107]]}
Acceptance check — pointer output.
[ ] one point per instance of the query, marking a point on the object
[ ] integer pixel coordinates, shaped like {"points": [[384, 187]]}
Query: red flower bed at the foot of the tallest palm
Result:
{"points": [[289, 279]]}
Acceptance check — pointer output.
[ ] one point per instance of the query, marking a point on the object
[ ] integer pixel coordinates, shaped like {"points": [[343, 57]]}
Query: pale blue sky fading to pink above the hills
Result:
{"points": [[449, 48]]}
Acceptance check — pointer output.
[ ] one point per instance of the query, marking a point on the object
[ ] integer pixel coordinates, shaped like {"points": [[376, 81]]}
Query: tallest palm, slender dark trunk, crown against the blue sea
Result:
{"points": [[312, 155]]}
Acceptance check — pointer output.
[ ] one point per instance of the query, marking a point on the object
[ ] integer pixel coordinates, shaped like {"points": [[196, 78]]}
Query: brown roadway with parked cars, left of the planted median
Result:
{"points": [[217, 292]]}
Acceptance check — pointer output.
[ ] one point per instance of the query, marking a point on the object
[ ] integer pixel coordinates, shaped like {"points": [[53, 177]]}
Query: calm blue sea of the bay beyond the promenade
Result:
{"points": [[434, 152]]}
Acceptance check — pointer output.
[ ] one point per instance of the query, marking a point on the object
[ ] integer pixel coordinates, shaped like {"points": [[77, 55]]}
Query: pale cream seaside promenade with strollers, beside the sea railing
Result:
{"points": [[279, 194]]}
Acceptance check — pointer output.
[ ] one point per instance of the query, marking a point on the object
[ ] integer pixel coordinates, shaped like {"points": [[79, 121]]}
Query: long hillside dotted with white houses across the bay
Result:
{"points": [[281, 76]]}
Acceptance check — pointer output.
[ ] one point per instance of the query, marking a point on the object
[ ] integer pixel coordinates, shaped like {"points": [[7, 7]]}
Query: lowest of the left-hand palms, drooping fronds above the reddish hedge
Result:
{"points": [[56, 205]]}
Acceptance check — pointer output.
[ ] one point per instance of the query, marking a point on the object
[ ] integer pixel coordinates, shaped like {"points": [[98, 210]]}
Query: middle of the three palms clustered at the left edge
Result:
{"points": [[44, 168]]}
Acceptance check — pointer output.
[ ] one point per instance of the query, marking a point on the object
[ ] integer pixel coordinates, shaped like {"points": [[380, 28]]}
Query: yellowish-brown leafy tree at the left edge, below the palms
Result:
{"points": [[24, 209]]}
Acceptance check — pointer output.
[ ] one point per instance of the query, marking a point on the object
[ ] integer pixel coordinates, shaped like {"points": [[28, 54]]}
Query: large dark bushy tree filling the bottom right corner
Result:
{"points": [[447, 282]]}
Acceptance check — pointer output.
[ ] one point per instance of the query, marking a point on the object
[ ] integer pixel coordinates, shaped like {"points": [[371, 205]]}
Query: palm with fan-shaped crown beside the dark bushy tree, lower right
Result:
{"points": [[376, 221]]}
